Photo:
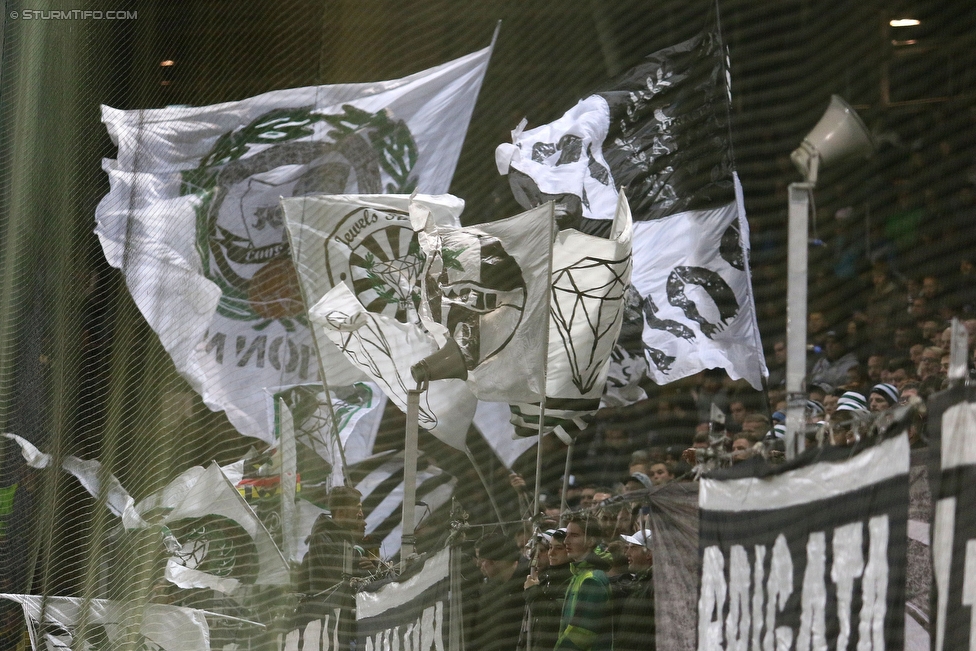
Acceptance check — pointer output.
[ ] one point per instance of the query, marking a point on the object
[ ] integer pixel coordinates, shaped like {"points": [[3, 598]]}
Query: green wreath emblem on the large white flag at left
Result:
{"points": [[240, 233]]}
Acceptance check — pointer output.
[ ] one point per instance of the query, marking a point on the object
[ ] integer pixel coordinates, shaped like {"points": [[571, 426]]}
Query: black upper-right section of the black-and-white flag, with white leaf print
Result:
{"points": [[669, 143]]}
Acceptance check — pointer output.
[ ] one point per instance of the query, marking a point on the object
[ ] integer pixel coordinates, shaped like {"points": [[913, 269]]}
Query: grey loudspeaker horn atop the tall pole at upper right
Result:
{"points": [[839, 133]]}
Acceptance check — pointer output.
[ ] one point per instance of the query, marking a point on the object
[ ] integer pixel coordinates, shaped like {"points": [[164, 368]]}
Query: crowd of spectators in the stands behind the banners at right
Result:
{"points": [[587, 584]]}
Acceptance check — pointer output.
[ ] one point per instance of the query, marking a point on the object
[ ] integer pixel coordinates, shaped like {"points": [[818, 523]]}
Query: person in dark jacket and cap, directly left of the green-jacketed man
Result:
{"points": [[545, 591]]}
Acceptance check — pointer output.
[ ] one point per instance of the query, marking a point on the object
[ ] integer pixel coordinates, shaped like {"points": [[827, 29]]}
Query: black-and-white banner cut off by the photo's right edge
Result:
{"points": [[952, 425]]}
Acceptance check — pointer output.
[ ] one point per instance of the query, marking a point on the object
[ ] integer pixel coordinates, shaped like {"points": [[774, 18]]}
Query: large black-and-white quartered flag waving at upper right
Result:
{"points": [[661, 132]]}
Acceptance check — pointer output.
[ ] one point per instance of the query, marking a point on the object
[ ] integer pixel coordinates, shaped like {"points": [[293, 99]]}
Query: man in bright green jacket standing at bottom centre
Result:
{"points": [[585, 620]]}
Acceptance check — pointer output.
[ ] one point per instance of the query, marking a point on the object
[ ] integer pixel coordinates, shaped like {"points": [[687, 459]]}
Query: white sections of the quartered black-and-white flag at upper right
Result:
{"points": [[689, 239]]}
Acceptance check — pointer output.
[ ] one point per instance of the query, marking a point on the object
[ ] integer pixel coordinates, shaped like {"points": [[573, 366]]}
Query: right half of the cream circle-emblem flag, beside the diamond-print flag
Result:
{"points": [[486, 288]]}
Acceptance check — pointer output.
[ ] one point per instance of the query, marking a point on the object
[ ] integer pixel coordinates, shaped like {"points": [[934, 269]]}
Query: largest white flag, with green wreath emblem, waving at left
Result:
{"points": [[193, 217]]}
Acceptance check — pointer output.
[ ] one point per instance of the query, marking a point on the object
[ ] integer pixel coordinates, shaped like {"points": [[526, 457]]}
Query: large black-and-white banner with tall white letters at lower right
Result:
{"points": [[810, 557]]}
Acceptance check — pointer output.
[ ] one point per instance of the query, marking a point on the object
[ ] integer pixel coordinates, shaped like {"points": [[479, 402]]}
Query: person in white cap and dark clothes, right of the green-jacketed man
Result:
{"points": [[634, 630]]}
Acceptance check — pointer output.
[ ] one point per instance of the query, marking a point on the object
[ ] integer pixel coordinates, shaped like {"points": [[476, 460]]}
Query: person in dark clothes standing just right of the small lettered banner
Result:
{"points": [[498, 620]]}
